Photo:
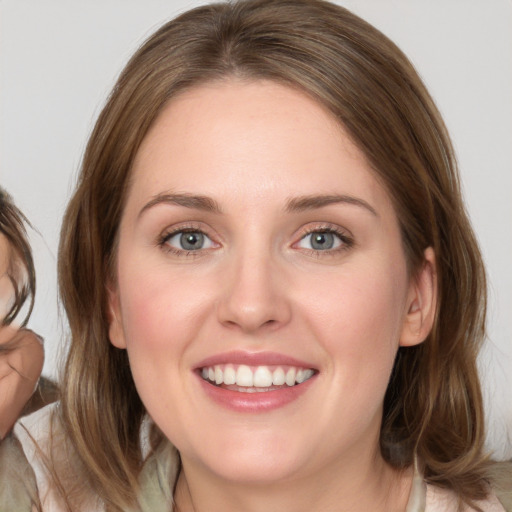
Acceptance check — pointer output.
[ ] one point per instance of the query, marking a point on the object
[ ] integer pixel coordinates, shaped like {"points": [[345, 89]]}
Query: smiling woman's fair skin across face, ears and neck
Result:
{"points": [[257, 285]]}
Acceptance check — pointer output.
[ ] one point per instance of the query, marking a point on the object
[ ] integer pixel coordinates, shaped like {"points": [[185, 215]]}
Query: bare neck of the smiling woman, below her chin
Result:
{"points": [[353, 486]]}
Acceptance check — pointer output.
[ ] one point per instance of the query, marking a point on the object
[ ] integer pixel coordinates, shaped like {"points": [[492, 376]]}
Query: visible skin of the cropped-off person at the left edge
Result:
{"points": [[21, 355]]}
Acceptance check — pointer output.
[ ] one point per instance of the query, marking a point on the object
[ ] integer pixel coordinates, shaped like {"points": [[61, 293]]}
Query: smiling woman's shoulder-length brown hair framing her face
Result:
{"points": [[433, 406]]}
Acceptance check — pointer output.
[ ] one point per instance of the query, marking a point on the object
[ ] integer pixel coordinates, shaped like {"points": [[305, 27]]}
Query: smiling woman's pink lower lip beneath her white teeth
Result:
{"points": [[258, 401]]}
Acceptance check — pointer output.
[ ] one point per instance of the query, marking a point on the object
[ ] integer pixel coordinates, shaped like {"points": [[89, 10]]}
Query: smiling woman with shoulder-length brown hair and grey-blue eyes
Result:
{"points": [[275, 296]]}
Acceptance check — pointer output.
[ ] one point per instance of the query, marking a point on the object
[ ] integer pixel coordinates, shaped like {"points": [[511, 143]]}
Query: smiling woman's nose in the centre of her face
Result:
{"points": [[254, 295]]}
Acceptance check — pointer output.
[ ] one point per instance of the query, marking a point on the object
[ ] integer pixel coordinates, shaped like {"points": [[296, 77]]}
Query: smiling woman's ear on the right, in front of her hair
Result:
{"points": [[421, 303]]}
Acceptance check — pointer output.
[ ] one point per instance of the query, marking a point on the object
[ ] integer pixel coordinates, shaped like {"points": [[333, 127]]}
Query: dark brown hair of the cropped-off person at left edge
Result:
{"points": [[21, 270]]}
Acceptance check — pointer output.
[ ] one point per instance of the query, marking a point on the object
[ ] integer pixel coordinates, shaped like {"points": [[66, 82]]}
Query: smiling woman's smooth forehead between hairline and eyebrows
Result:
{"points": [[257, 138]]}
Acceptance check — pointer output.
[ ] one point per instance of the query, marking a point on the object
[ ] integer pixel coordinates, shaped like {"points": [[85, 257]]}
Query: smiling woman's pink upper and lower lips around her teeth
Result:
{"points": [[259, 401]]}
